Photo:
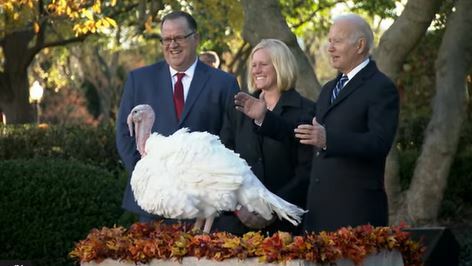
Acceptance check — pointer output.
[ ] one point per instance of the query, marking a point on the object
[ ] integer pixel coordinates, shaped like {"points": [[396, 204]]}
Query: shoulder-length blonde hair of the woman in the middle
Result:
{"points": [[283, 61]]}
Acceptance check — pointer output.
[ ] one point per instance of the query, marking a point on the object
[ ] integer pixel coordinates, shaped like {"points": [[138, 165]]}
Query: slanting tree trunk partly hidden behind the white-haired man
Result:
{"points": [[390, 54]]}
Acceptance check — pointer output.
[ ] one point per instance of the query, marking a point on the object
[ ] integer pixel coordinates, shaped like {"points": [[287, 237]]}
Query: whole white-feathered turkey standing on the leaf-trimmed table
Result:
{"points": [[193, 175]]}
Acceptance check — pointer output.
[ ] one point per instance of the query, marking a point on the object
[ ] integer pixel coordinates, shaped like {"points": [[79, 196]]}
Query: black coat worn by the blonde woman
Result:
{"points": [[278, 160]]}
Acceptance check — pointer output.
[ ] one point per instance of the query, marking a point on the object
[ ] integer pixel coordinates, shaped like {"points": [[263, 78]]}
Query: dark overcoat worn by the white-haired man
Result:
{"points": [[347, 179]]}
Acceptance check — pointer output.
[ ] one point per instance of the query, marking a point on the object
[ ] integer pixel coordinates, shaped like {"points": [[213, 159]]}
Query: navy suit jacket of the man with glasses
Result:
{"points": [[211, 92]]}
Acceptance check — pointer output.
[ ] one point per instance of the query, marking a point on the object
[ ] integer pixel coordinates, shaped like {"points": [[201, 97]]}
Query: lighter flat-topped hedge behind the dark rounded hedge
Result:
{"points": [[91, 145]]}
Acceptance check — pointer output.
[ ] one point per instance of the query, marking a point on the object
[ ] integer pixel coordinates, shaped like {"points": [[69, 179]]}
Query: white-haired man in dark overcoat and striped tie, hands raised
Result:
{"points": [[353, 131]]}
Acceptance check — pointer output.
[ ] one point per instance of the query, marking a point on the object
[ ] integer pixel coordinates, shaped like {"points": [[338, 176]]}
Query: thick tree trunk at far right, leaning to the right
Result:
{"points": [[423, 198]]}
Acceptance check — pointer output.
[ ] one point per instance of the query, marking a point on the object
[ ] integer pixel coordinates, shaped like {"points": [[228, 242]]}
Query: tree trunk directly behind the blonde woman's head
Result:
{"points": [[271, 24]]}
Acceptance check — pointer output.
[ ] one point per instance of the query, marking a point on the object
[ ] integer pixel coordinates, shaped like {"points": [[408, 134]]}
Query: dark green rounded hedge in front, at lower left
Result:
{"points": [[48, 205]]}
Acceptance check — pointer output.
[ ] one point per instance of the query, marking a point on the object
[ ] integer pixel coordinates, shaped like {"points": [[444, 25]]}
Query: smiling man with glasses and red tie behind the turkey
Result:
{"points": [[183, 91]]}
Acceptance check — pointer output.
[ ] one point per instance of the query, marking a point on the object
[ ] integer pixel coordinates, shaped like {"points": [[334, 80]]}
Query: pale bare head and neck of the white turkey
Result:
{"points": [[140, 121]]}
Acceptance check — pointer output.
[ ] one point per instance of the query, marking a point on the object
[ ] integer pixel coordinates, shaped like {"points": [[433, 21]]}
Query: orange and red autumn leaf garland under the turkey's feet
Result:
{"points": [[143, 242]]}
